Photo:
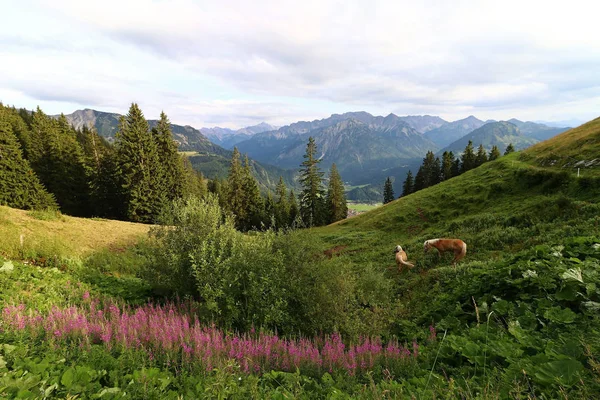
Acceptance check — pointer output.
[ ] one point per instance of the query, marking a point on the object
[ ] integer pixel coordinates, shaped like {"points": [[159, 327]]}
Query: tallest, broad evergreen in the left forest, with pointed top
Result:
{"points": [[138, 167]]}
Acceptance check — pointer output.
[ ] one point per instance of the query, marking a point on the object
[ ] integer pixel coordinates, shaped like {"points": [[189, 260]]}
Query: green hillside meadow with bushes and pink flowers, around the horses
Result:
{"points": [[199, 310]]}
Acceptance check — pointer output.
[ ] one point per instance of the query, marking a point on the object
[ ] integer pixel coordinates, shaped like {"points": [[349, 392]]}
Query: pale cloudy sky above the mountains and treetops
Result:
{"points": [[237, 63]]}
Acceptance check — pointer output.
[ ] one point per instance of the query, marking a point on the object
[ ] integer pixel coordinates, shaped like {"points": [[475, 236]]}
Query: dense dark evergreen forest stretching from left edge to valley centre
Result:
{"points": [[46, 163]]}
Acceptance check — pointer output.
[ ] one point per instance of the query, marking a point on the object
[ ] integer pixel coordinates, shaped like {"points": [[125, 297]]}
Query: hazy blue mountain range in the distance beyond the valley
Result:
{"points": [[365, 148]]}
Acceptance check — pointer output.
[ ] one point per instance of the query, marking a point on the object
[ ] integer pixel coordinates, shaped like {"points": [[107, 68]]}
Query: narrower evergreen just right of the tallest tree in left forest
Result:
{"points": [[172, 175]]}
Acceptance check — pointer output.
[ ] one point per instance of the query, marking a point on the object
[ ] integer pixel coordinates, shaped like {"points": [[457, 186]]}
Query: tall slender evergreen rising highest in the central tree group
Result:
{"points": [[312, 195]]}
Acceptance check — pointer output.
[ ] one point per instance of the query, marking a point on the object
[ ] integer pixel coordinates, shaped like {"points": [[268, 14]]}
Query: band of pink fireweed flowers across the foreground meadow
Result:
{"points": [[166, 335]]}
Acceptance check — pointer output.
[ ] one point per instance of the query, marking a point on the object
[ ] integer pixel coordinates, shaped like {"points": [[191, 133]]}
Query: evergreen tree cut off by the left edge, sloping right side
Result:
{"points": [[19, 185]]}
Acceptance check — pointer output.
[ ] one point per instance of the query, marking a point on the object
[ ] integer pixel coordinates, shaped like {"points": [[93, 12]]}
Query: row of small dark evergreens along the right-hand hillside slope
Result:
{"points": [[433, 170]]}
